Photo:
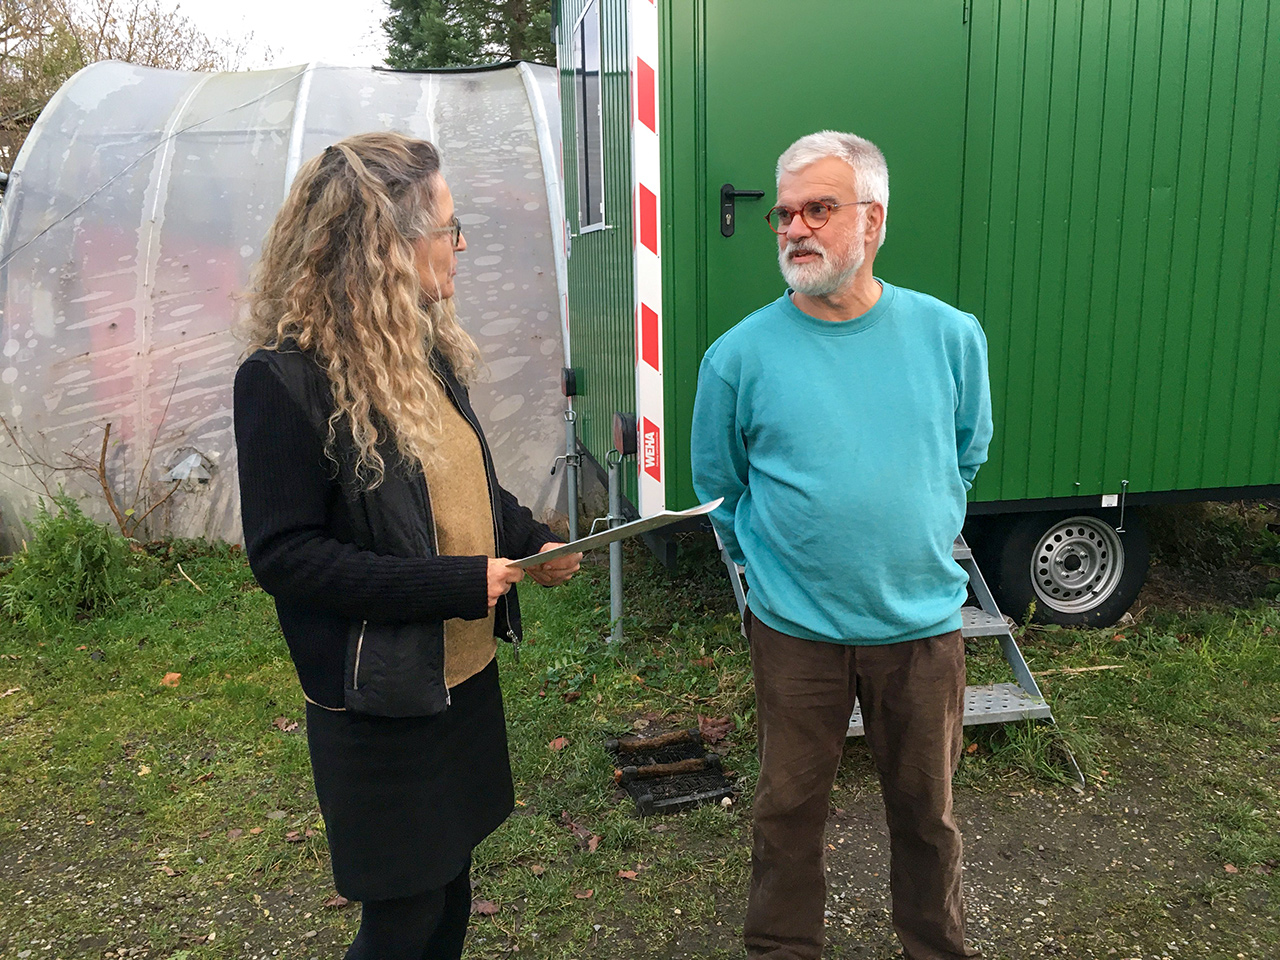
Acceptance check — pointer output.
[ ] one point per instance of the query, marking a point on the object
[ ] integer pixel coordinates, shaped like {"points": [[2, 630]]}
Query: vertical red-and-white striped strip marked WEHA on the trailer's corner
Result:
{"points": [[647, 171]]}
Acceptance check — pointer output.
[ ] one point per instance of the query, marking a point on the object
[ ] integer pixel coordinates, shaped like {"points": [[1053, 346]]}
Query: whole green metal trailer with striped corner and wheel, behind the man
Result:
{"points": [[1098, 181]]}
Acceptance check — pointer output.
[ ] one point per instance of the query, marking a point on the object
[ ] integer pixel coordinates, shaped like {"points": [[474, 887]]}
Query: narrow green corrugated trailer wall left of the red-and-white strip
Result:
{"points": [[601, 290]]}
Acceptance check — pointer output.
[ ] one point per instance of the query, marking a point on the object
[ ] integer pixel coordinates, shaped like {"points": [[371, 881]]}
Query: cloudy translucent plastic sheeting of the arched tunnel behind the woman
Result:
{"points": [[135, 214]]}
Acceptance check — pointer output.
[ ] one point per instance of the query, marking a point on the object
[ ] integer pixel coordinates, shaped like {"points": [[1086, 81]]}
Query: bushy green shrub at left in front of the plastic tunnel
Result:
{"points": [[72, 565]]}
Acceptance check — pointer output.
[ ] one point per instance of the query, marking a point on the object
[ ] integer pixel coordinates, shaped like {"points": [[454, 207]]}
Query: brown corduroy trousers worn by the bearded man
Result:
{"points": [[912, 698]]}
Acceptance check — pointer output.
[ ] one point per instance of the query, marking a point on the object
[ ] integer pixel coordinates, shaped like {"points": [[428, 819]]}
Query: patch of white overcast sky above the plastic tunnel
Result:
{"points": [[296, 31]]}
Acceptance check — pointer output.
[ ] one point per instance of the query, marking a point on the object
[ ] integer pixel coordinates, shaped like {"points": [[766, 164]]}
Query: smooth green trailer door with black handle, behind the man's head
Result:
{"points": [[894, 74]]}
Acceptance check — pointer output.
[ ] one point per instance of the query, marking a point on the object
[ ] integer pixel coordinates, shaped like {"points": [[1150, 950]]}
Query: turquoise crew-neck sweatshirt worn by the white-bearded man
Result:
{"points": [[844, 452]]}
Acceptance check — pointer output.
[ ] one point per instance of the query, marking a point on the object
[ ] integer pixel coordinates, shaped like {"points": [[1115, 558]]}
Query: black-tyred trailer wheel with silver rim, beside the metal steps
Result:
{"points": [[1076, 568]]}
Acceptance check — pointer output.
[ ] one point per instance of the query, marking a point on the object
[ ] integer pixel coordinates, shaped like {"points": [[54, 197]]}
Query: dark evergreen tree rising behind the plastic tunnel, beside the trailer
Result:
{"points": [[426, 34]]}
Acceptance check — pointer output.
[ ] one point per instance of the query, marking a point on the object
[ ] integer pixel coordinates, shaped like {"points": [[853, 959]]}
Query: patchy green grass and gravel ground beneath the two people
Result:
{"points": [[145, 815]]}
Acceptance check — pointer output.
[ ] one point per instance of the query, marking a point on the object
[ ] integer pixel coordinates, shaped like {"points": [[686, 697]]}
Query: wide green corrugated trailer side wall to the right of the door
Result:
{"points": [[1119, 244]]}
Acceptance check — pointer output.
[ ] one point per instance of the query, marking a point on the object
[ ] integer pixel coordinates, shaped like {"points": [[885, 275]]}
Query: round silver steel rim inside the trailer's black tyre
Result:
{"points": [[1077, 565]]}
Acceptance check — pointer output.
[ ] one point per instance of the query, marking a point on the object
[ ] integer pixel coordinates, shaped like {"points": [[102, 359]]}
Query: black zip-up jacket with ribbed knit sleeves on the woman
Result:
{"points": [[359, 587]]}
